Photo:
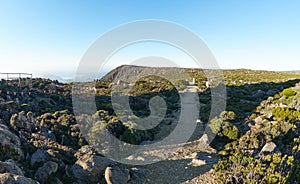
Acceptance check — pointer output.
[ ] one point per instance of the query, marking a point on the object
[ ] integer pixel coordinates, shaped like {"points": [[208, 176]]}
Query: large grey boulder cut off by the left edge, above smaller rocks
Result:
{"points": [[11, 140]]}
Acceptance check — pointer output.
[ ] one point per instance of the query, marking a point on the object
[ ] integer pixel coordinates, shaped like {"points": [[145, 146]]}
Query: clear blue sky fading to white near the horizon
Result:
{"points": [[50, 37]]}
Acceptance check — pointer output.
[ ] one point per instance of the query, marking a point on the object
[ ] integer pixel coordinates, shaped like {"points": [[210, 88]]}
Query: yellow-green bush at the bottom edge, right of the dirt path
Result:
{"points": [[241, 168]]}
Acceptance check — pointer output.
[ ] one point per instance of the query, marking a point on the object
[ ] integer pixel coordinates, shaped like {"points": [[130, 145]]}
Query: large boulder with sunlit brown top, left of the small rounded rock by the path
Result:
{"points": [[90, 168]]}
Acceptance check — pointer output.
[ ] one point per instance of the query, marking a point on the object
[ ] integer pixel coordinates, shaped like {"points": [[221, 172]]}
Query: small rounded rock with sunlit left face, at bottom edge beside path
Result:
{"points": [[116, 175]]}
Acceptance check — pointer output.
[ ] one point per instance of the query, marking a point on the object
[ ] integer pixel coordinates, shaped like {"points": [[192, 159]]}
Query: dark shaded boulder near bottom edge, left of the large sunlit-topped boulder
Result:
{"points": [[43, 173]]}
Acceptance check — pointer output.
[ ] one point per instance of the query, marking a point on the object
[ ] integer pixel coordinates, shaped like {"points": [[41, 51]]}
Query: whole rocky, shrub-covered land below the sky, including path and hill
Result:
{"points": [[257, 136]]}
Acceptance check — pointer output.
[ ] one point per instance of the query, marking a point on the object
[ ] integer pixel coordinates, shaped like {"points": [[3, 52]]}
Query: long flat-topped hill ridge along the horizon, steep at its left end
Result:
{"points": [[234, 77]]}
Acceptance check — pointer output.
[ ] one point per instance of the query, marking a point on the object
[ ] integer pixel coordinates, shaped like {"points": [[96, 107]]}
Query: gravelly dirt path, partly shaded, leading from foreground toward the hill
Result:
{"points": [[190, 164]]}
